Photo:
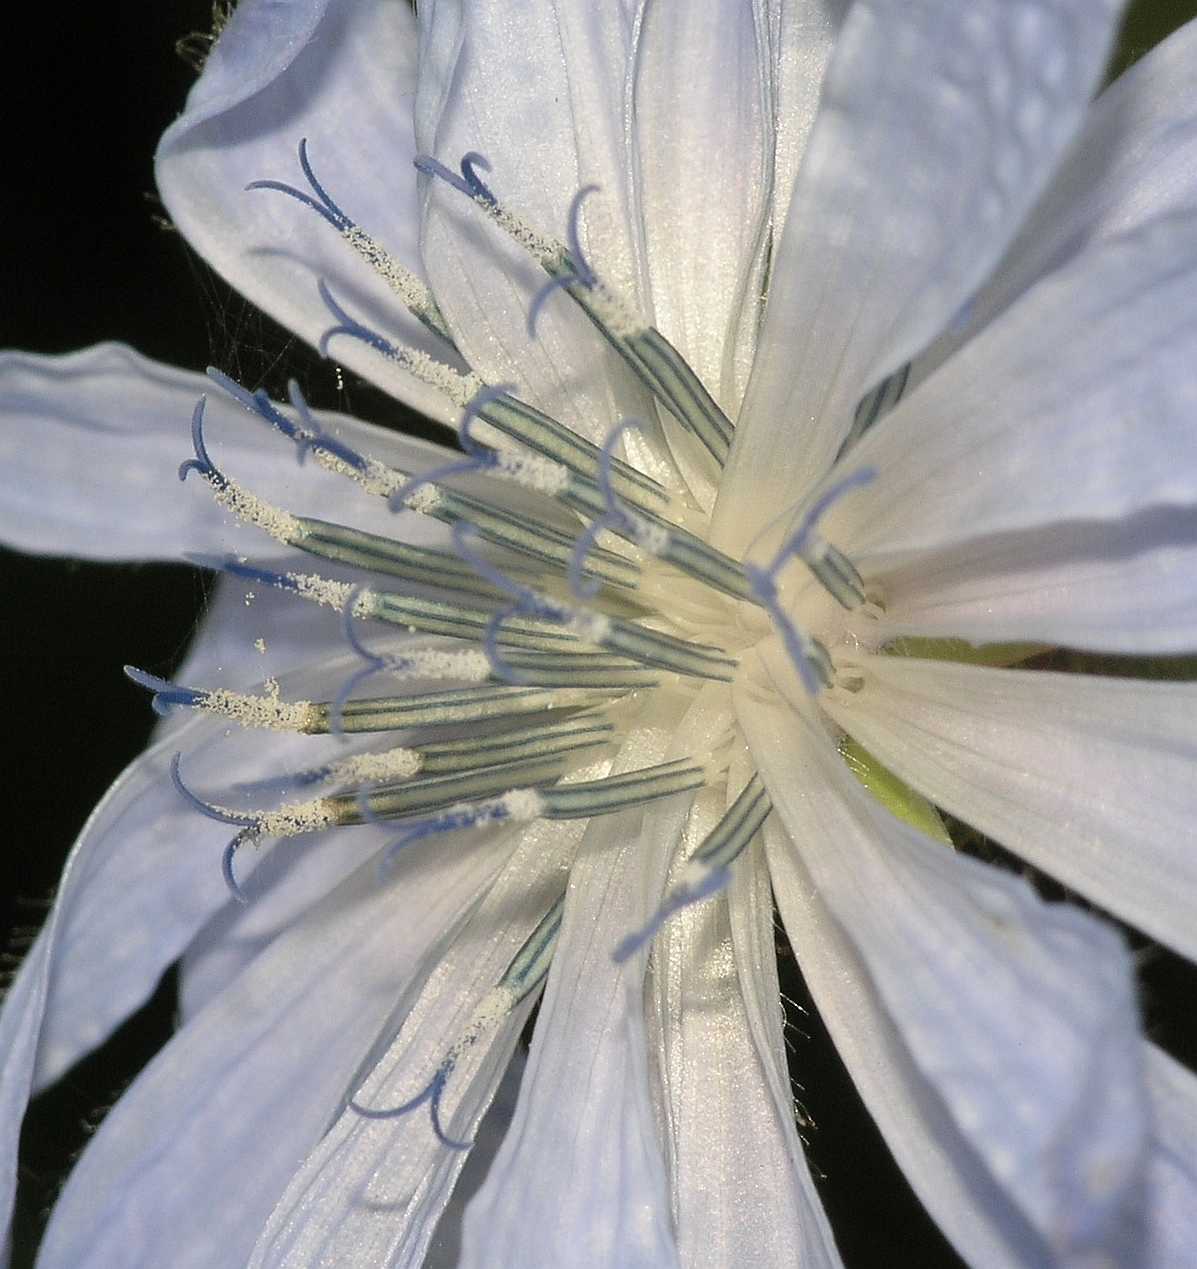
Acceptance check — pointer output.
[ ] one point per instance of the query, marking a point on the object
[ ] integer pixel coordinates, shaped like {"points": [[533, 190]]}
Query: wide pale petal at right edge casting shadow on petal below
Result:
{"points": [[1077, 404]]}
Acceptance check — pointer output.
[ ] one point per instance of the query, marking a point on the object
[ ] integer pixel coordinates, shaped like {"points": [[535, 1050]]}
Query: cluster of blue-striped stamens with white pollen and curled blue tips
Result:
{"points": [[545, 631]]}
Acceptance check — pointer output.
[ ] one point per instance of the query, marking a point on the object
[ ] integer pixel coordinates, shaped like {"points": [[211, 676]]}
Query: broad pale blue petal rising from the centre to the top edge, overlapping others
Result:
{"points": [[940, 125]]}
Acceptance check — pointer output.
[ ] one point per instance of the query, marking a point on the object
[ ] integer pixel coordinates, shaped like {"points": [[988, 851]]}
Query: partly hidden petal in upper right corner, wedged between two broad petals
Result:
{"points": [[1132, 163]]}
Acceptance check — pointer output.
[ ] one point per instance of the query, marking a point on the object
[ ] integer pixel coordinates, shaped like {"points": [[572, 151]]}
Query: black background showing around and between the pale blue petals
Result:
{"points": [[87, 260]]}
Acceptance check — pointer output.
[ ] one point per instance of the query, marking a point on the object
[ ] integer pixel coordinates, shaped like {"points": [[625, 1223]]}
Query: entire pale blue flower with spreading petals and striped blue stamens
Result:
{"points": [[1035, 483]]}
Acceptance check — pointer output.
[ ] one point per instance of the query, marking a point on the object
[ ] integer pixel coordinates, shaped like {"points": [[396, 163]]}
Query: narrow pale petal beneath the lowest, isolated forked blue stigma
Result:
{"points": [[374, 1190]]}
